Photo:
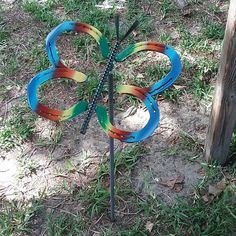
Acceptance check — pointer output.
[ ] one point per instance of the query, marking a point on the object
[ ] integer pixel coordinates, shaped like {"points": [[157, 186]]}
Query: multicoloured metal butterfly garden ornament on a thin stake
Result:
{"points": [[59, 70]]}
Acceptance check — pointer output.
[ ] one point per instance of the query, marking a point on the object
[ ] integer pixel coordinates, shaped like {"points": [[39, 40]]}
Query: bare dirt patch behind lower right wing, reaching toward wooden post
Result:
{"points": [[156, 164]]}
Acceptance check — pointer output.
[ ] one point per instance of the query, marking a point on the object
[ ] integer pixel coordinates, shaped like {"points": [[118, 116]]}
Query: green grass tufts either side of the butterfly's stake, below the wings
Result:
{"points": [[97, 195]]}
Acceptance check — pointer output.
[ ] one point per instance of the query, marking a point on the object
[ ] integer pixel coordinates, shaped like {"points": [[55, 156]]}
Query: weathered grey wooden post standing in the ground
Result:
{"points": [[223, 113]]}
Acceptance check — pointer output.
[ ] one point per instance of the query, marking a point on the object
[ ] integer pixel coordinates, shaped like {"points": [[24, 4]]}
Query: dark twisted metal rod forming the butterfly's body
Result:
{"points": [[98, 92]]}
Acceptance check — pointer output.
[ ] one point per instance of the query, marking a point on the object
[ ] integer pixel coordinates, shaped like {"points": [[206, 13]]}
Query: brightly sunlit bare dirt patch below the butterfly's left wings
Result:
{"points": [[28, 171]]}
